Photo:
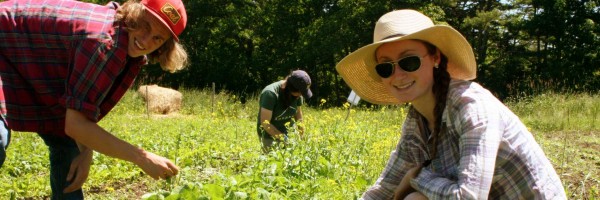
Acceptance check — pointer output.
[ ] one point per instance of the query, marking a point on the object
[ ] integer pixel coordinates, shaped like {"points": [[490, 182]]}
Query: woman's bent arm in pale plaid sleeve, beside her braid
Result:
{"points": [[478, 126]]}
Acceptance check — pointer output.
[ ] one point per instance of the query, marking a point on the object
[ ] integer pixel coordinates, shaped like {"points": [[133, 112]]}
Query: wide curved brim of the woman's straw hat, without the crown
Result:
{"points": [[358, 68]]}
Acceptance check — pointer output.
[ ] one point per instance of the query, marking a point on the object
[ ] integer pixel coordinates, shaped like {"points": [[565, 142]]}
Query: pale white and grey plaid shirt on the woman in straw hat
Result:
{"points": [[485, 151]]}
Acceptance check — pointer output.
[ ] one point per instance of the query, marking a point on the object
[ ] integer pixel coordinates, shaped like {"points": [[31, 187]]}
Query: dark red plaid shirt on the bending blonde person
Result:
{"points": [[59, 54]]}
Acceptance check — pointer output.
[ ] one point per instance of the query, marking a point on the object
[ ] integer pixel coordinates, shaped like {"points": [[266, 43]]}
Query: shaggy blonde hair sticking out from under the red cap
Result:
{"points": [[171, 55]]}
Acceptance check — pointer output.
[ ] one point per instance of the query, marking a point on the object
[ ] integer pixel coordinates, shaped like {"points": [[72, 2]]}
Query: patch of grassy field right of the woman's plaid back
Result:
{"points": [[566, 126]]}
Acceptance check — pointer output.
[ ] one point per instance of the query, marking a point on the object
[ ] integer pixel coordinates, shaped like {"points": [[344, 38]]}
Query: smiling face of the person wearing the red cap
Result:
{"points": [[149, 36]]}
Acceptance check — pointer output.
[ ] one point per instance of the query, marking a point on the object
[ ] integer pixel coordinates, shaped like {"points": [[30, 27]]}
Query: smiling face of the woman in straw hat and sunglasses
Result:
{"points": [[412, 86]]}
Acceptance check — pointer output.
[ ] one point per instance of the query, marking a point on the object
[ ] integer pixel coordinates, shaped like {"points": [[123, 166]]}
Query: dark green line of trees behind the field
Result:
{"points": [[522, 47]]}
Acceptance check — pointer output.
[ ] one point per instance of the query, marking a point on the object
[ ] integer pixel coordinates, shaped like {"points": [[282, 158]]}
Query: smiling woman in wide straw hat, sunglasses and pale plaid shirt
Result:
{"points": [[458, 140]]}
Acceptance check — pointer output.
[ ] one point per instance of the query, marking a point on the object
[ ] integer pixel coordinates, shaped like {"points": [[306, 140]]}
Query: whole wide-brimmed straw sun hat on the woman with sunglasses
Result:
{"points": [[358, 68]]}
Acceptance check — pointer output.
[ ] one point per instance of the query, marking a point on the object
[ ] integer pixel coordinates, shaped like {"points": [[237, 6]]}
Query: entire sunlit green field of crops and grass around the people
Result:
{"points": [[215, 144]]}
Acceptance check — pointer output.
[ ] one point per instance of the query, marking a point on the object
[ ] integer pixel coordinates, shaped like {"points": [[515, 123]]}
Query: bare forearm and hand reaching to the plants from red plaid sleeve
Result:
{"points": [[89, 134]]}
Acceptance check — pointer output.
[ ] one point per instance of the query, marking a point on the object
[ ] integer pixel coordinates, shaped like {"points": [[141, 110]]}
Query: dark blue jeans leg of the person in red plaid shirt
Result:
{"points": [[62, 152]]}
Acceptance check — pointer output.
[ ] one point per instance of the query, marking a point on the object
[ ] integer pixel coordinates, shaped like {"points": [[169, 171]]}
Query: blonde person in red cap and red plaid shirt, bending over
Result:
{"points": [[65, 64]]}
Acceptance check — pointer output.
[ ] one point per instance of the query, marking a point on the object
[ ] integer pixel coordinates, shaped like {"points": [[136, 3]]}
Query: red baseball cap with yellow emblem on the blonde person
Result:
{"points": [[170, 12]]}
